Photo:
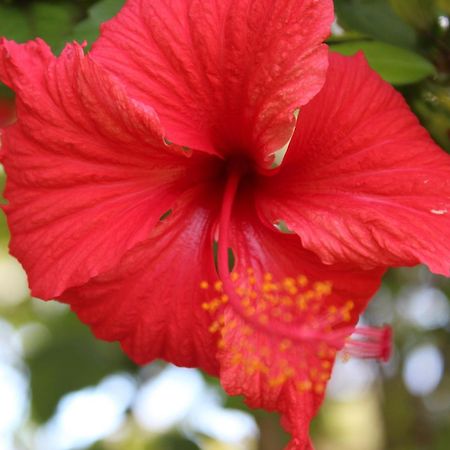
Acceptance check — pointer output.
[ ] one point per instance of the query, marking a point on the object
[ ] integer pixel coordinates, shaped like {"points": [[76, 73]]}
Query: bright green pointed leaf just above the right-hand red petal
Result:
{"points": [[396, 65]]}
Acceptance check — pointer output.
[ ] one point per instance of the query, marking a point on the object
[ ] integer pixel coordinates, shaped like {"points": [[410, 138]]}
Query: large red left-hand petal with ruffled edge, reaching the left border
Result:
{"points": [[88, 171]]}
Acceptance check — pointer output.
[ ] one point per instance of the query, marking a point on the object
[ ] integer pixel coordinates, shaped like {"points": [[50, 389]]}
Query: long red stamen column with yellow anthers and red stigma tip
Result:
{"points": [[283, 328]]}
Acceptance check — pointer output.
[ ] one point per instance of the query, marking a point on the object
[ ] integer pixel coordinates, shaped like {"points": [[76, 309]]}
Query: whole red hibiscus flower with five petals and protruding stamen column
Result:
{"points": [[126, 167]]}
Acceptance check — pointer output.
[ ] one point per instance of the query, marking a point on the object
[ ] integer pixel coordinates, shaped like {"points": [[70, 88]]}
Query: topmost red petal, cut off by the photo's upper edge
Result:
{"points": [[222, 75]]}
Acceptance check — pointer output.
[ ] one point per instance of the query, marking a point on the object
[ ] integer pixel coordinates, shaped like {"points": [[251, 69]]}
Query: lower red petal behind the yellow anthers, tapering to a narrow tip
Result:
{"points": [[283, 285]]}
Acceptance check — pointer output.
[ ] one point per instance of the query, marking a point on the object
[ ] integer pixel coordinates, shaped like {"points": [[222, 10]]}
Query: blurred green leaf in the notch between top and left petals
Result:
{"points": [[88, 29]]}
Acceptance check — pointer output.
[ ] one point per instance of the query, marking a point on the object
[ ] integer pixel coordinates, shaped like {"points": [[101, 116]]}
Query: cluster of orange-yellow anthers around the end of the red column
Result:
{"points": [[292, 302]]}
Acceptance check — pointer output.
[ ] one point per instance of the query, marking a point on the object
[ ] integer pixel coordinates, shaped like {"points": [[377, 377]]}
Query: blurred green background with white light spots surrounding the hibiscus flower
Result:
{"points": [[61, 389]]}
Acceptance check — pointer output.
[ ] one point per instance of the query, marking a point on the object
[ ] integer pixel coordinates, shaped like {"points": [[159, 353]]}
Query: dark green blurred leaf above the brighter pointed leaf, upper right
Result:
{"points": [[375, 18]]}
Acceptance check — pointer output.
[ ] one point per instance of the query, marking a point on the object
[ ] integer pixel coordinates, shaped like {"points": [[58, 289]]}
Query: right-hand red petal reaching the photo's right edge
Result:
{"points": [[362, 181]]}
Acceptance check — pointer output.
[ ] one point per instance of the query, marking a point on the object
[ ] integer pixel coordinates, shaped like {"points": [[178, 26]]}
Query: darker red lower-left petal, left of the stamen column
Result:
{"points": [[151, 302]]}
